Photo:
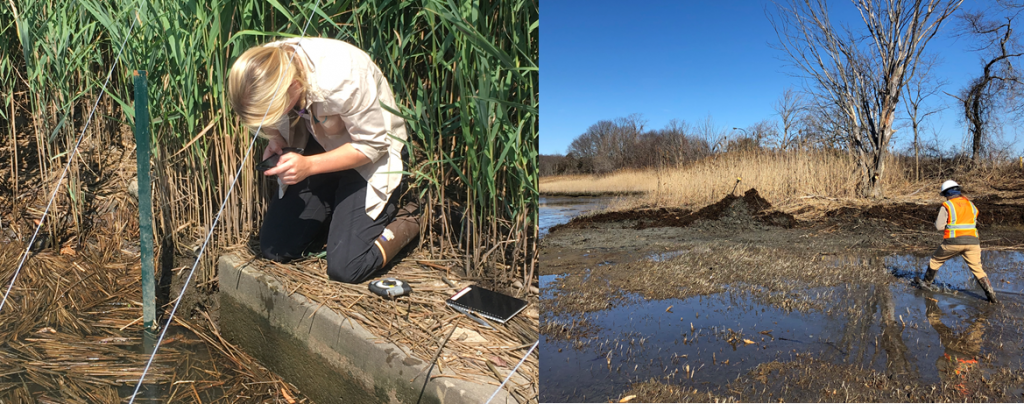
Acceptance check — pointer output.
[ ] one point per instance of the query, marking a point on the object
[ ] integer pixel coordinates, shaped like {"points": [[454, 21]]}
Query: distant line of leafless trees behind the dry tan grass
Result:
{"points": [[625, 144]]}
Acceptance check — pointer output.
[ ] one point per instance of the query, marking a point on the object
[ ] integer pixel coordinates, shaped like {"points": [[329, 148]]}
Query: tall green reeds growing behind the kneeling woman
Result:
{"points": [[465, 74]]}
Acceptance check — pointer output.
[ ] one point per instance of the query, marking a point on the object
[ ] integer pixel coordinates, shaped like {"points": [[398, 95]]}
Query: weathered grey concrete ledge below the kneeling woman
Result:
{"points": [[331, 358]]}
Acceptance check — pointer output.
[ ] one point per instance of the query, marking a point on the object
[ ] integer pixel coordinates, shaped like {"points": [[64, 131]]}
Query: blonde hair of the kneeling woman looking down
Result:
{"points": [[254, 80]]}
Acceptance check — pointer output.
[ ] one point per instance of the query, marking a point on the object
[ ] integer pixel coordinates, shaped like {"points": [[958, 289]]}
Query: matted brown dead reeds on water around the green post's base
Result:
{"points": [[72, 335]]}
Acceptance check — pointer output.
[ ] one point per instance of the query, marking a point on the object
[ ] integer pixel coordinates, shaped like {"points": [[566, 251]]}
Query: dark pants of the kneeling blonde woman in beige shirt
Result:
{"points": [[292, 223]]}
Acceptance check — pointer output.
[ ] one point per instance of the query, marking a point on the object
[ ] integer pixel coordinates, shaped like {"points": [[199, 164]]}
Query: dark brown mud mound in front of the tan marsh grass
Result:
{"points": [[748, 210]]}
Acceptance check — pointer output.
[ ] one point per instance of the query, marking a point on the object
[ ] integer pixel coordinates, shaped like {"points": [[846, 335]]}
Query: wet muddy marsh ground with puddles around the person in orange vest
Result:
{"points": [[737, 307]]}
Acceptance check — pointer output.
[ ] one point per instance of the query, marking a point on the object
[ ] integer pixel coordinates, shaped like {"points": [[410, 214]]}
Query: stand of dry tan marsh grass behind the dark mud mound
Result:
{"points": [[786, 179]]}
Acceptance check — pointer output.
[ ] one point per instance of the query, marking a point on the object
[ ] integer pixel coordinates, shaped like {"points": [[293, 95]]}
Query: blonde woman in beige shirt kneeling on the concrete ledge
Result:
{"points": [[349, 173]]}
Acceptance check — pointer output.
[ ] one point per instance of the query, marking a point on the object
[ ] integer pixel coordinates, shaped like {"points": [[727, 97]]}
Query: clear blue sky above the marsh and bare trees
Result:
{"points": [[688, 60]]}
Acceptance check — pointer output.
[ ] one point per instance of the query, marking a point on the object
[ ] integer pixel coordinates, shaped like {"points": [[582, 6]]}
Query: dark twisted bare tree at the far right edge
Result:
{"points": [[999, 84]]}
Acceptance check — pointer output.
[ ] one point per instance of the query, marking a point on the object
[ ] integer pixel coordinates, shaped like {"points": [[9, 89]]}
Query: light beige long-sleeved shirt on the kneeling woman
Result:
{"points": [[346, 91]]}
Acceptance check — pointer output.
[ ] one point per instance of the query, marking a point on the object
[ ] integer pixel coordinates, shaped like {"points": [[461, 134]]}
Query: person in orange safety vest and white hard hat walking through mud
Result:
{"points": [[959, 219]]}
